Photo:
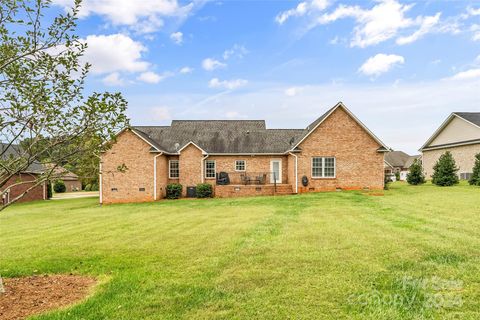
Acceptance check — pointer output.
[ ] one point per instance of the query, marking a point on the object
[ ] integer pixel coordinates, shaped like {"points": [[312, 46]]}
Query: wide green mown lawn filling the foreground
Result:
{"points": [[411, 254]]}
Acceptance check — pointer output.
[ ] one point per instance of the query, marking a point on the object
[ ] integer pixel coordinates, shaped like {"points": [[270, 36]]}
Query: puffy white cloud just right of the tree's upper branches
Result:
{"points": [[113, 53]]}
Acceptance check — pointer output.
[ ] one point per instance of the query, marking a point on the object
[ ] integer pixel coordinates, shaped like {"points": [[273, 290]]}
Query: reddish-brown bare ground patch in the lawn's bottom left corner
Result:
{"points": [[27, 296]]}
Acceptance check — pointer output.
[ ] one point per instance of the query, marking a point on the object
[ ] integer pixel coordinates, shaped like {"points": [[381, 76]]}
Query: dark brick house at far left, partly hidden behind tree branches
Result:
{"points": [[19, 183]]}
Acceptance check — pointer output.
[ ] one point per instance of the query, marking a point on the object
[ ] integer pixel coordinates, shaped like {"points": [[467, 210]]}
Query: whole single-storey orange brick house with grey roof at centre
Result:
{"points": [[242, 157]]}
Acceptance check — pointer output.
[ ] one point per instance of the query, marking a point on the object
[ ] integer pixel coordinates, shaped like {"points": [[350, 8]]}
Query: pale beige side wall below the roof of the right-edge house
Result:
{"points": [[464, 157]]}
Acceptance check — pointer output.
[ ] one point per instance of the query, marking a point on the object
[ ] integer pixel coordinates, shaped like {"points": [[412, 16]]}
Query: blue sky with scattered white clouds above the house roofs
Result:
{"points": [[400, 66]]}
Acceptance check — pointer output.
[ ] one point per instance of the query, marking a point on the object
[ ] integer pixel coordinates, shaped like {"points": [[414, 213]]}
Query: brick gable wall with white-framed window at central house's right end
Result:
{"points": [[358, 164]]}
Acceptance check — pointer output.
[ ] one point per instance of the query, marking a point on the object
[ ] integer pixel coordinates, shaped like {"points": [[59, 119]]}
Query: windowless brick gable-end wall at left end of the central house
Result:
{"points": [[135, 153]]}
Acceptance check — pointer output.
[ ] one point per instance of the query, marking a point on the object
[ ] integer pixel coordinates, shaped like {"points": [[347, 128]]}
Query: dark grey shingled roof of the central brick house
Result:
{"points": [[231, 136]]}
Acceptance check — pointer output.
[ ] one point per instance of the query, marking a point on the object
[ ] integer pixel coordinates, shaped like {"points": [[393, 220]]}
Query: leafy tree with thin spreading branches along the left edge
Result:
{"points": [[44, 115]]}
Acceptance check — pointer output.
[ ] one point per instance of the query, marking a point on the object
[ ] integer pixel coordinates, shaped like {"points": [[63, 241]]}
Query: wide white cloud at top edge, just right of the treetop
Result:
{"points": [[143, 16]]}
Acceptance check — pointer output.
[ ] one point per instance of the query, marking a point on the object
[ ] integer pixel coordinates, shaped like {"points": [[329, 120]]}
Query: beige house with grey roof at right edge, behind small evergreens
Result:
{"points": [[459, 134]]}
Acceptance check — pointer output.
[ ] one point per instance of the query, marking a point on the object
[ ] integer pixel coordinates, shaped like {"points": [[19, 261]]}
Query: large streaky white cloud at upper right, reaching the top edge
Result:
{"points": [[382, 22]]}
